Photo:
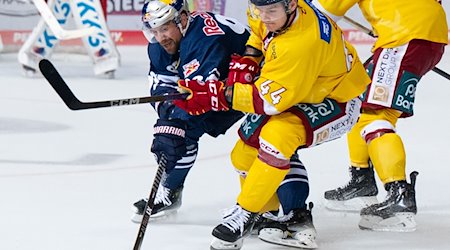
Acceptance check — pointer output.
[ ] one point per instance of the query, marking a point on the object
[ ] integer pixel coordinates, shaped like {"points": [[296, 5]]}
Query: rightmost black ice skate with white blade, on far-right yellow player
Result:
{"points": [[397, 212]]}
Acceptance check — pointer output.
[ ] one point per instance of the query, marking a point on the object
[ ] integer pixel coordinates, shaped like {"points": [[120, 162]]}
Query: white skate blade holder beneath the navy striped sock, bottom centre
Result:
{"points": [[277, 237]]}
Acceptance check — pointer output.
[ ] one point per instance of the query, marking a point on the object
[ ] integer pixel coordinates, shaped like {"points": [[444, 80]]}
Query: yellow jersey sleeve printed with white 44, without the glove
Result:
{"points": [[284, 81]]}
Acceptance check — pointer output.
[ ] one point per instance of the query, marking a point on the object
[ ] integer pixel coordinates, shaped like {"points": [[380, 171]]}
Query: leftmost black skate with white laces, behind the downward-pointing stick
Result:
{"points": [[167, 202]]}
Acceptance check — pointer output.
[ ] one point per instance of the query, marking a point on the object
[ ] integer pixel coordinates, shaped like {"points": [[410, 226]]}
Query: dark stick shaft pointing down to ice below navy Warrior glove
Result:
{"points": [[149, 206]]}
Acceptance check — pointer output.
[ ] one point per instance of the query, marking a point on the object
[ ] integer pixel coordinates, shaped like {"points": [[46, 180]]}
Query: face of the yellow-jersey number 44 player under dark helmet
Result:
{"points": [[273, 16]]}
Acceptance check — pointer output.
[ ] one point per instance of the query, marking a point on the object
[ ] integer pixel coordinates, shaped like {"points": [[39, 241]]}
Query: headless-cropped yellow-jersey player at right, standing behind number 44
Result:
{"points": [[408, 46]]}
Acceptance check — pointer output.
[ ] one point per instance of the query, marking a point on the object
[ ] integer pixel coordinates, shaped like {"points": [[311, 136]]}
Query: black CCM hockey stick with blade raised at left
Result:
{"points": [[59, 85]]}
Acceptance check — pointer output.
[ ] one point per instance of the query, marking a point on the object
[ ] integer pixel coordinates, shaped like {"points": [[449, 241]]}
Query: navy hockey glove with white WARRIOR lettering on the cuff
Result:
{"points": [[169, 139]]}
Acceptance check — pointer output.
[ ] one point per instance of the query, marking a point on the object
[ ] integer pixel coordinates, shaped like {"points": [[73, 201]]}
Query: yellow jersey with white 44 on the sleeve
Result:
{"points": [[307, 63]]}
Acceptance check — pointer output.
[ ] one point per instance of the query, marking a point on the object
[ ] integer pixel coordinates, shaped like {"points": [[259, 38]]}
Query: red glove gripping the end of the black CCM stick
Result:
{"points": [[204, 96]]}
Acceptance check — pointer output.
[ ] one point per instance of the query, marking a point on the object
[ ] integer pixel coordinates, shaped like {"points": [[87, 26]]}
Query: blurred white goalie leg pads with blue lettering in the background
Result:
{"points": [[82, 13]]}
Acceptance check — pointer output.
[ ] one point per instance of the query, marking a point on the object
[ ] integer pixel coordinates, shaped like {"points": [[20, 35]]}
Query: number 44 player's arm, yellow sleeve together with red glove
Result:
{"points": [[283, 83]]}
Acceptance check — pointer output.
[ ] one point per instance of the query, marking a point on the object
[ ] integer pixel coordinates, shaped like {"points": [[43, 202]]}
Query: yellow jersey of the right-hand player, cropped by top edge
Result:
{"points": [[396, 22]]}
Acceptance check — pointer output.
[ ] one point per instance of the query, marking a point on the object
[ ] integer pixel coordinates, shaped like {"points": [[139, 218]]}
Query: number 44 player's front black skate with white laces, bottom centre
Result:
{"points": [[236, 225]]}
